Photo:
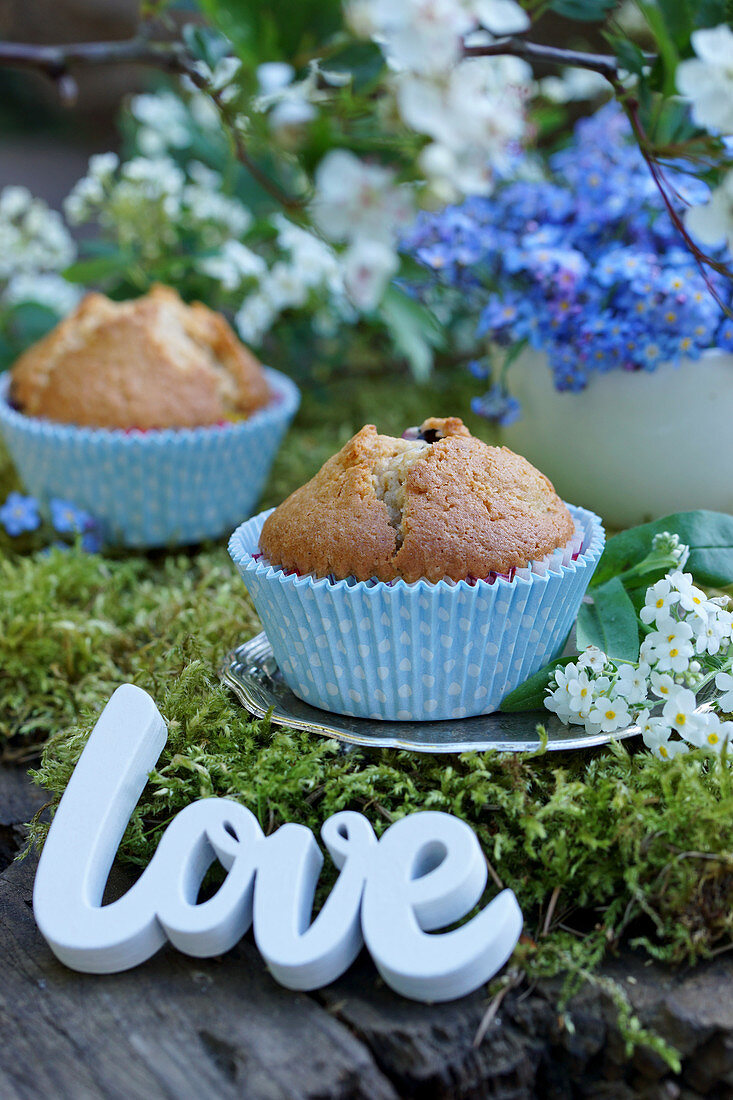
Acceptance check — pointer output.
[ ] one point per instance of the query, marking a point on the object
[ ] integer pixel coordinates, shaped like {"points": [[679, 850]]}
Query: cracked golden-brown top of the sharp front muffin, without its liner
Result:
{"points": [[442, 504]]}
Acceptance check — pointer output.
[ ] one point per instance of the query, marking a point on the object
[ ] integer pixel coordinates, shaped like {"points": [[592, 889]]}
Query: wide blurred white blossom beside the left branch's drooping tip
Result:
{"points": [[355, 200]]}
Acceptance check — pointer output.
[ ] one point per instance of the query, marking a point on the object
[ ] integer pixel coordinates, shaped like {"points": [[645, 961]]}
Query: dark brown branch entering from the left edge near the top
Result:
{"points": [[58, 63]]}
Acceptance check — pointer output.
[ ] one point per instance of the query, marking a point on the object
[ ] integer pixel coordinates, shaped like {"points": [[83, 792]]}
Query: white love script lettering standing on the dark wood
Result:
{"points": [[425, 873]]}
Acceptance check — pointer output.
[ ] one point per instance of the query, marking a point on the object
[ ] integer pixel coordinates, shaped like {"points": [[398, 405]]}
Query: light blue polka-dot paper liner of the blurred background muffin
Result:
{"points": [[154, 489]]}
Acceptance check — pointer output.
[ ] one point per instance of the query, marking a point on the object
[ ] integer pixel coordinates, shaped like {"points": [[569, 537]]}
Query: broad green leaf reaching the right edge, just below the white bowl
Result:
{"points": [[708, 534]]}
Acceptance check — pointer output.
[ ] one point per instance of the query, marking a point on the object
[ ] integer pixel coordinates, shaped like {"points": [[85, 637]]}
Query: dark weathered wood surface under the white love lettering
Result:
{"points": [[180, 1028]]}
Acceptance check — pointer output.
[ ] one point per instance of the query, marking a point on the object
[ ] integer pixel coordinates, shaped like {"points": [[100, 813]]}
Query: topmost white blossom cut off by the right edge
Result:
{"points": [[707, 81]]}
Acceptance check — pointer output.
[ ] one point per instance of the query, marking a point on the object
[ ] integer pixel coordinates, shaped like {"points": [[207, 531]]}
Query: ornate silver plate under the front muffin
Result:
{"points": [[253, 674]]}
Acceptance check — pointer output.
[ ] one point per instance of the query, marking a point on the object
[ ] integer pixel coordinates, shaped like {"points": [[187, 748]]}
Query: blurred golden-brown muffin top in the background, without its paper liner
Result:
{"points": [[152, 362]]}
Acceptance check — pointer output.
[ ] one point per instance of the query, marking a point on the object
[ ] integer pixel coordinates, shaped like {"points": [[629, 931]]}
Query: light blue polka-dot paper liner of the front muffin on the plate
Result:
{"points": [[420, 652]]}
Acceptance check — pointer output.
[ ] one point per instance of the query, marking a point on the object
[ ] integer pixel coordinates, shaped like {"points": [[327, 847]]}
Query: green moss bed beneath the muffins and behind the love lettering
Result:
{"points": [[601, 848]]}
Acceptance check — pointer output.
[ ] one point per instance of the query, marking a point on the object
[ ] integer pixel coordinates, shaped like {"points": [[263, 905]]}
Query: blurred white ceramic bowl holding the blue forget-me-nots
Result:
{"points": [[633, 446]]}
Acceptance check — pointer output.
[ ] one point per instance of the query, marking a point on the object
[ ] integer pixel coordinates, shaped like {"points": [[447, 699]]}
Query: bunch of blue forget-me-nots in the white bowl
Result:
{"points": [[585, 265]]}
